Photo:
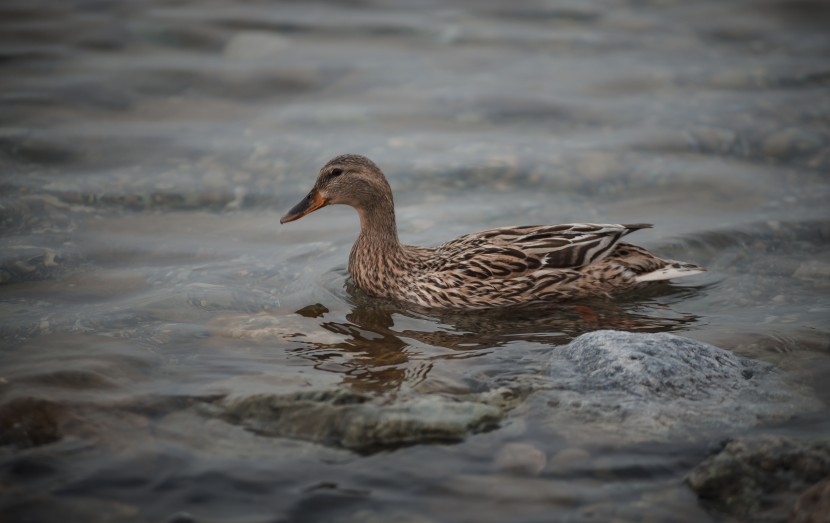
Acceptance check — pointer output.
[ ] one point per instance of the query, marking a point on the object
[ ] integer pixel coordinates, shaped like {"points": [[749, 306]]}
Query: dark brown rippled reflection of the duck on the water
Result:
{"points": [[383, 337]]}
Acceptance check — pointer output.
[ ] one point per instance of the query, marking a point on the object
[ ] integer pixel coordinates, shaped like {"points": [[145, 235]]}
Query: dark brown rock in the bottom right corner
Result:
{"points": [[759, 478]]}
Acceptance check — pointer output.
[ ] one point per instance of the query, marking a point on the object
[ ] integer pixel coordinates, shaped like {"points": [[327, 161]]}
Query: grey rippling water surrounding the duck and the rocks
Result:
{"points": [[148, 150]]}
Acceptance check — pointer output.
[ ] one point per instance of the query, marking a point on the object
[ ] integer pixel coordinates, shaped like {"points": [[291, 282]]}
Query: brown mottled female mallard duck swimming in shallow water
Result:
{"points": [[493, 268]]}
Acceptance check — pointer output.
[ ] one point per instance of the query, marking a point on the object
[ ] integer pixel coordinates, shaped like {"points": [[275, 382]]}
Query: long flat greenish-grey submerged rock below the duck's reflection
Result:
{"points": [[346, 419]]}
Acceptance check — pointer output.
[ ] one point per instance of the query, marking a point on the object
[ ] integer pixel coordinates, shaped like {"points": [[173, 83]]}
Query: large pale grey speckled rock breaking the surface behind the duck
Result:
{"points": [[646, 387]]}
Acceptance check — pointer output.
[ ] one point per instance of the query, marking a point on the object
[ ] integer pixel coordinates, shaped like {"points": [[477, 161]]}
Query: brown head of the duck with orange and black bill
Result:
{"points": [[349, 179]]}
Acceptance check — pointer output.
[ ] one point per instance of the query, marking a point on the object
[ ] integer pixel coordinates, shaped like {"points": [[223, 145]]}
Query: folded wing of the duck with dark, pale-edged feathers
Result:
{"points": [[508, 252]]}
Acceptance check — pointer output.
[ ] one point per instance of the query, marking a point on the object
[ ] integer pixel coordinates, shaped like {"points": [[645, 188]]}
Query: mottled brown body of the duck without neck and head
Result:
{"points": [[529, 264]]}
